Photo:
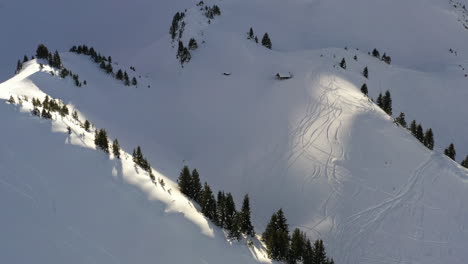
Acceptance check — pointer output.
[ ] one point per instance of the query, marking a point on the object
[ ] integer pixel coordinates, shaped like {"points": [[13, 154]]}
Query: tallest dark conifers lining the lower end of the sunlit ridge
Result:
{"points": [[281, 246]]}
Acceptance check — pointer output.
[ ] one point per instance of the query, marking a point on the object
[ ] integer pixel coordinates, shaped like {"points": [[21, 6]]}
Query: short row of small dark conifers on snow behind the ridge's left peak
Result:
{"points": [[105, 63]]}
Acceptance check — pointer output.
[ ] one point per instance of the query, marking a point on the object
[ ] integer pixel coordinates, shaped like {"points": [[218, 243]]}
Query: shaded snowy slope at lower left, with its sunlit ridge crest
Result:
{"points": [[62, 201]]}
